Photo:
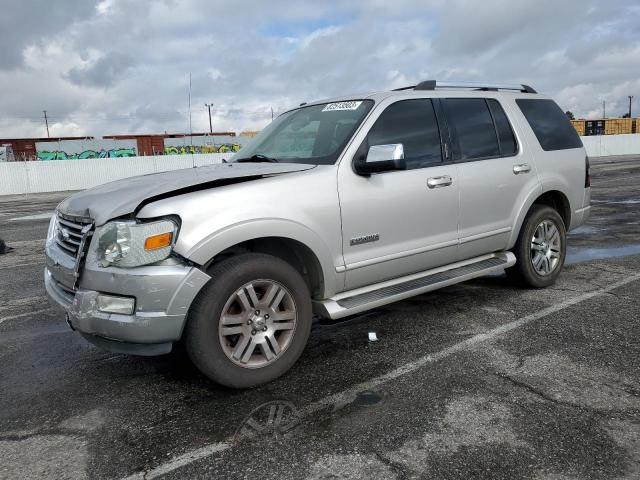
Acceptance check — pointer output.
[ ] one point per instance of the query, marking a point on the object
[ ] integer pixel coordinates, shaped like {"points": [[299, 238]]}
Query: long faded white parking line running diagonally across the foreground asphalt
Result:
{"points": [[347, 396]]}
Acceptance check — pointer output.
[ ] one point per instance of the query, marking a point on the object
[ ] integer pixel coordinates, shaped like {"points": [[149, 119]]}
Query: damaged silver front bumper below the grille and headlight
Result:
{"points": [[163, 295]]}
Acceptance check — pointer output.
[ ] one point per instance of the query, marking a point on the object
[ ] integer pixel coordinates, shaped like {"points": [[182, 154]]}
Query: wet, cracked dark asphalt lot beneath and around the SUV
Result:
{"points": [[478, 380]]}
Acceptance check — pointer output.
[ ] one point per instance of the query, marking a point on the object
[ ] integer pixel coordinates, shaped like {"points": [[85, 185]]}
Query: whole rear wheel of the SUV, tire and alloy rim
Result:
{"points": [[540, 249]]}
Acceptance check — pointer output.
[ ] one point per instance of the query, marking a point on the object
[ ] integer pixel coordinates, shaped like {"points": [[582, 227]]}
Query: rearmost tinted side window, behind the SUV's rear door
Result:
{"points": [[550, 124]]}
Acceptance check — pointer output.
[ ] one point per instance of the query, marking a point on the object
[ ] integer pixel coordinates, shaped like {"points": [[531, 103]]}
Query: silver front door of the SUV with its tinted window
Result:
{"points": [[400, 222]]}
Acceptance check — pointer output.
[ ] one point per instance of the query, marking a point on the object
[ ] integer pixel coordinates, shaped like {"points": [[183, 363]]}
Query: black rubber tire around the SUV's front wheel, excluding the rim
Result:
{"points": [[201, 336]]}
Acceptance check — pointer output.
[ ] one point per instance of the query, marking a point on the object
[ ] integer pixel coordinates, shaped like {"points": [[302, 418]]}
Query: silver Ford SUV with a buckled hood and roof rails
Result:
{"points": [[337, 207]]}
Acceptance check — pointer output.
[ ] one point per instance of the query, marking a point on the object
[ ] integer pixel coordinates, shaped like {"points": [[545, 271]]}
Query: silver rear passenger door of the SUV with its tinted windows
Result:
{"points": [[495, 173]]}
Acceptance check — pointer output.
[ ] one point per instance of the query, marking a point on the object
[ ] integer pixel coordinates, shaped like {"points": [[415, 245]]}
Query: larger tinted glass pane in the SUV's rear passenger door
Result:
{"points": [[473, 127]]}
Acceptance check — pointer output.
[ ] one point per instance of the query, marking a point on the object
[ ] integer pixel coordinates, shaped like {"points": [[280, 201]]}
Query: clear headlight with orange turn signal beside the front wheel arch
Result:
{"points": [[131, 244]]}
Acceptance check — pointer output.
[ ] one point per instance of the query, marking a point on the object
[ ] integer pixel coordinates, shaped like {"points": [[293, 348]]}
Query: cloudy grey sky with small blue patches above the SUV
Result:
{"points": [[122, 66]]}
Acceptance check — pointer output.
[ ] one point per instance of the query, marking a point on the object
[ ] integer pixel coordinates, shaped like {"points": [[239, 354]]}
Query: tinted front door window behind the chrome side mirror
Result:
{"points": [[412, 123]]}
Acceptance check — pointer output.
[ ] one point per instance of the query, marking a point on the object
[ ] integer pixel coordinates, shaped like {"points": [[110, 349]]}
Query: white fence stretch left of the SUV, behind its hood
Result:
{"points": [[62, 175]]}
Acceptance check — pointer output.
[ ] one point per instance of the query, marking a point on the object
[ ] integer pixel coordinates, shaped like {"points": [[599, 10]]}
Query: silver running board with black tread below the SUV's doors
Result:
{"points": [[366, 298]]}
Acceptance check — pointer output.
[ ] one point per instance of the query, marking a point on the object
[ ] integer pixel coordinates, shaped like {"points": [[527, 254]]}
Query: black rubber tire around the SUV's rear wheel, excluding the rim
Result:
{"points": [[523, 272]]}
